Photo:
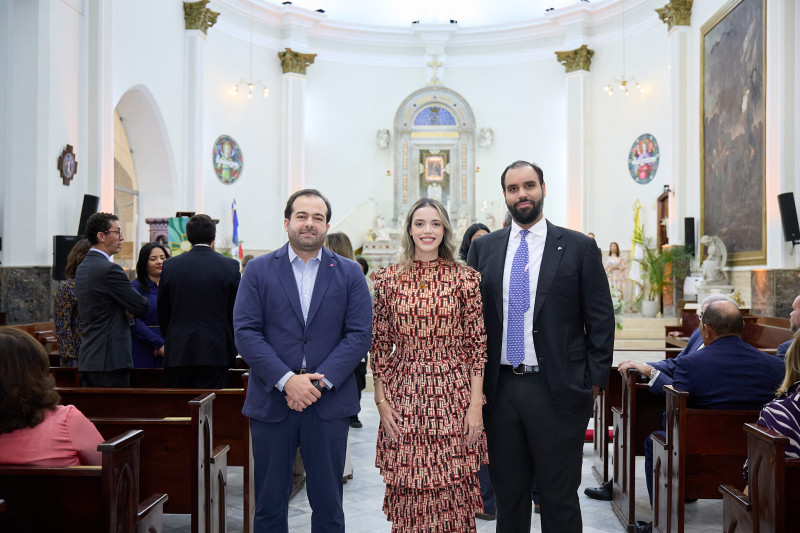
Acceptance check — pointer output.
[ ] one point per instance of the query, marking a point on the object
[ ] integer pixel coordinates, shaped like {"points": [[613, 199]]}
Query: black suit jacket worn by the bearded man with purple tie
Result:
{"points": [[573, 317]]}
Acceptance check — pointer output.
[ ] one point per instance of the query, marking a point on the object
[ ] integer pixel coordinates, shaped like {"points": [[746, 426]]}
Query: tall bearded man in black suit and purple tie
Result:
{"points": [[550, 334]]}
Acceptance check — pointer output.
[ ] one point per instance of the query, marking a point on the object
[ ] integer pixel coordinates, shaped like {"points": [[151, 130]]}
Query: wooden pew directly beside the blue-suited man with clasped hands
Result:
{"points": [[231, 427]]}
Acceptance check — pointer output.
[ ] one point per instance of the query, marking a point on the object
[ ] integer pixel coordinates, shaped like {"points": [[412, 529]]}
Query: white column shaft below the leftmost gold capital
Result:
{"points": [[192, 197]]}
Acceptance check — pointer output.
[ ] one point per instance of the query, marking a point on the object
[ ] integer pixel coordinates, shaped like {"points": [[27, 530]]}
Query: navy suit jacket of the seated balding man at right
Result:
{"points": [[729, 374]]}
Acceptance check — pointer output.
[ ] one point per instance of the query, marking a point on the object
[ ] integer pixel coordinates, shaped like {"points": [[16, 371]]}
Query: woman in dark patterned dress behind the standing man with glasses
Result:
{"points": [[66, 317]]}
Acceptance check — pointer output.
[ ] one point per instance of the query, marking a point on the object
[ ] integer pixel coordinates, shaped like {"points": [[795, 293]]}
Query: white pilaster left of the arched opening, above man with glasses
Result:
{"points": [[100, 104]]}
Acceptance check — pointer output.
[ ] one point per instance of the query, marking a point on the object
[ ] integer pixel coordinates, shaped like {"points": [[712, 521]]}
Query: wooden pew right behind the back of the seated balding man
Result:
{"points": [[703, 448]]}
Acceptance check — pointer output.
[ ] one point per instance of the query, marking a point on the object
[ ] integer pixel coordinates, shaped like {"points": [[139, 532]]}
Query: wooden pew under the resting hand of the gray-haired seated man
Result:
{"points": [[639, 414]]}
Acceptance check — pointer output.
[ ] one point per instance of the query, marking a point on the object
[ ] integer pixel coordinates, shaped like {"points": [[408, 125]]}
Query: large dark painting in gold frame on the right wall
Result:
{"points": [[732, 130]]}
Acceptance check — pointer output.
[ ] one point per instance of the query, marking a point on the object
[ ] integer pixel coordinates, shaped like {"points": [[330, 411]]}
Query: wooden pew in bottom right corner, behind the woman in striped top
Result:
{"points": [[773, 504]]}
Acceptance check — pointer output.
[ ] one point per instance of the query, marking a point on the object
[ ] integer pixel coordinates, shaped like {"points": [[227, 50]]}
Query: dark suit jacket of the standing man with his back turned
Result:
{"points": [[195, 308]]}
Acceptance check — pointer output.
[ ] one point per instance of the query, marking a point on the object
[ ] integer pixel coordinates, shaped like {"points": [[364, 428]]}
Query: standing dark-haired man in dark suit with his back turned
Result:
{"points": [[195, 311]]}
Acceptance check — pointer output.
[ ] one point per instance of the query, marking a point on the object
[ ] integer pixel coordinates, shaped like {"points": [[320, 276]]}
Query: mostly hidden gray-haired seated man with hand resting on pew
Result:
{"points": [[660, 373]]}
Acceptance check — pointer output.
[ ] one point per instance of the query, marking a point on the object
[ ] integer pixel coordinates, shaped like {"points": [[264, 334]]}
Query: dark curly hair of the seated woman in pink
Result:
{"points": [[27, 388]]}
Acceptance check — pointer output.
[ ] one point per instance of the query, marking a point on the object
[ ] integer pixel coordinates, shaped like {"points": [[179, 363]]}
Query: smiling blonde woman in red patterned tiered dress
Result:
{"points": [[429, 350]]}
